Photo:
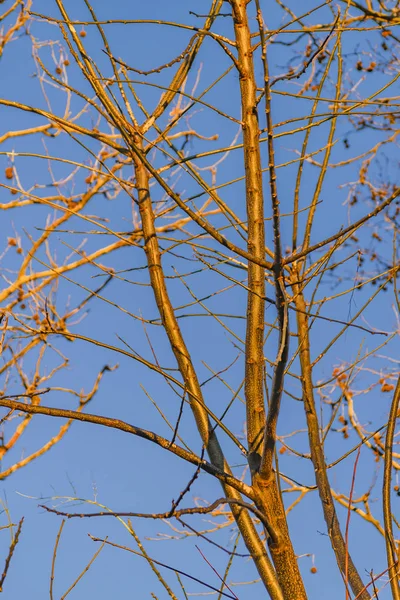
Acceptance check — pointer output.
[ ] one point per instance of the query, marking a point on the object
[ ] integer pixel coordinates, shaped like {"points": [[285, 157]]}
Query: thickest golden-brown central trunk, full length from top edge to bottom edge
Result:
{"points": [[269, 499]]}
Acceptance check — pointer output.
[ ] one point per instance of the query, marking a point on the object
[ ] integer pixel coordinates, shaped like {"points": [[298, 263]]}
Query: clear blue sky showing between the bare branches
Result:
{"points": [[126, 473]]}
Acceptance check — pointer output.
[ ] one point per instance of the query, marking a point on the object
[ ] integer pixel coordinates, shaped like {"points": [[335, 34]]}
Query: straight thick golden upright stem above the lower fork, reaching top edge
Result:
{"points": [[254, 365]]}
